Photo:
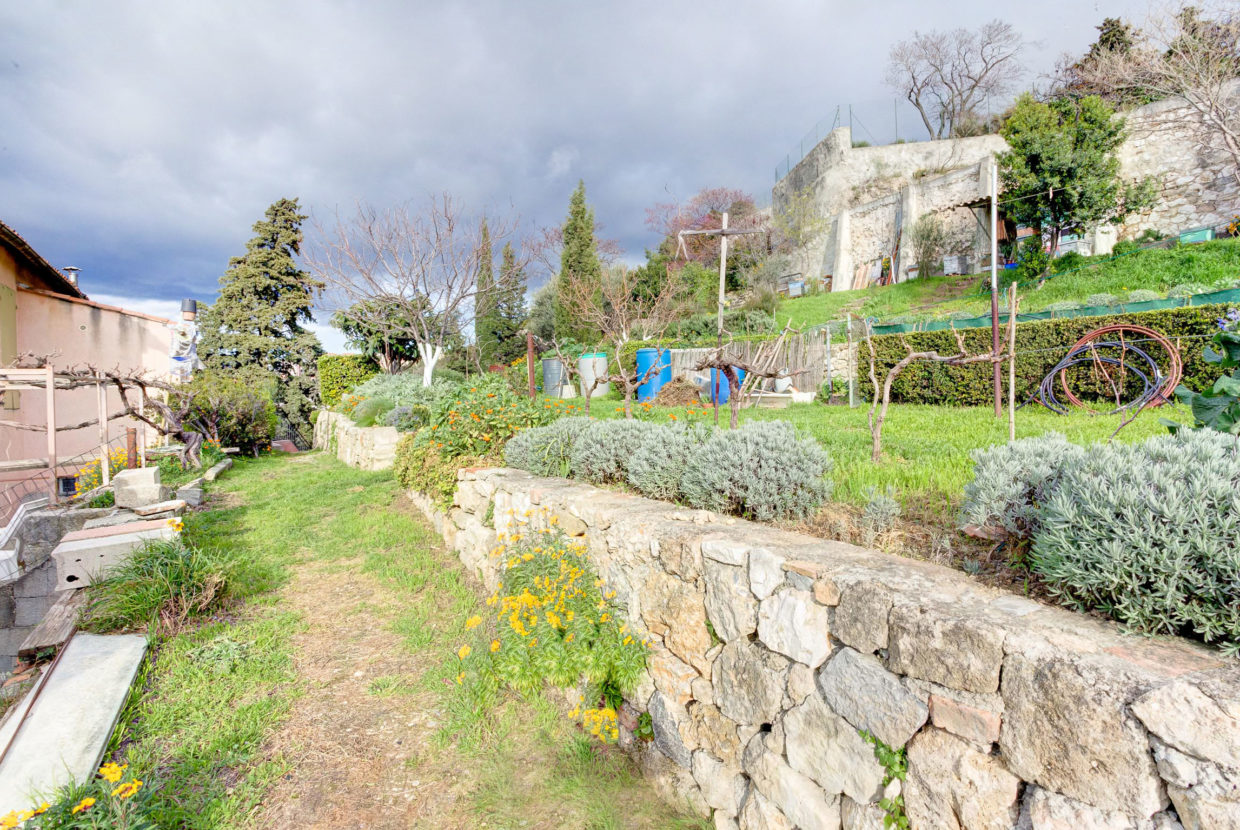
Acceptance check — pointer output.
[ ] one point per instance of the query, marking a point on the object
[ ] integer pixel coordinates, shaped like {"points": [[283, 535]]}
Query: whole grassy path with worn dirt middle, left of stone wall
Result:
{"points": [[239, 721]]}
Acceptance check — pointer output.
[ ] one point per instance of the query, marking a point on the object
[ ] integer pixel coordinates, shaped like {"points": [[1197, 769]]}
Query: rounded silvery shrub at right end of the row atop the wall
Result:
{"points": [[763, 471]]}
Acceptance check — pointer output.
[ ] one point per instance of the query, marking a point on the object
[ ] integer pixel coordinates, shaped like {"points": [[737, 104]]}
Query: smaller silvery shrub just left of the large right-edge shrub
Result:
{"points": [[1012, 481]]}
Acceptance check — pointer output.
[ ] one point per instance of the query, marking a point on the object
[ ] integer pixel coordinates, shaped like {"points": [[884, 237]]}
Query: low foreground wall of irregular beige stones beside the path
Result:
{"points": [[774, 651]]}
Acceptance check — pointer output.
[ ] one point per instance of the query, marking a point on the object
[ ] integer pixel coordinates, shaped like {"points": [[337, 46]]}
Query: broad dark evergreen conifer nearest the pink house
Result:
{"points": [[257, 326]]}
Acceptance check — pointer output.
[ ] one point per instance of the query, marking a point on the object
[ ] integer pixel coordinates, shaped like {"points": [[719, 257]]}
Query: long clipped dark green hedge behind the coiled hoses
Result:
{"points": [[1040, 347]]}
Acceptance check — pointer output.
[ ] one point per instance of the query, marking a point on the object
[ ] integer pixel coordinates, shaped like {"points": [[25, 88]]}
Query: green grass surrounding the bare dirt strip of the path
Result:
{"points": [[203, 734]]}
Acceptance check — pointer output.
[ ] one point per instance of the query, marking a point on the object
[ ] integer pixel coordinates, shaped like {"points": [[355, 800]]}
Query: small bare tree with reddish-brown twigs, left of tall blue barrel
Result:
{"points": [[623, 315]]}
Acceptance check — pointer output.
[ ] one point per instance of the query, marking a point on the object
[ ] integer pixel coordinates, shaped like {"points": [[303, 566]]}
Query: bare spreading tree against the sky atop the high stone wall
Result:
{"points": [[948, 75]]}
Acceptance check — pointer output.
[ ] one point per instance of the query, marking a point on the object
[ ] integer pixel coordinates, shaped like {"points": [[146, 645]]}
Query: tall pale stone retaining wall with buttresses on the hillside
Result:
{"points": [[871, 197]]}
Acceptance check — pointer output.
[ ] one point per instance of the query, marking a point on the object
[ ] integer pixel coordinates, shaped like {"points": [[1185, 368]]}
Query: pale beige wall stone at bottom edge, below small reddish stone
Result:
{"points": [[952, 786]]}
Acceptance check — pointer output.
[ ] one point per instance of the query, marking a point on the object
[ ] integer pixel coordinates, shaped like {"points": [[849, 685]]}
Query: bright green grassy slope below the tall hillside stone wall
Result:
{"points": [[1158, 270]]}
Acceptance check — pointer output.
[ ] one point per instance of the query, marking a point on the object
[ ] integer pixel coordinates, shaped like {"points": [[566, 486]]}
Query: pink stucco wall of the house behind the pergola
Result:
{"points": [[76, 334]]}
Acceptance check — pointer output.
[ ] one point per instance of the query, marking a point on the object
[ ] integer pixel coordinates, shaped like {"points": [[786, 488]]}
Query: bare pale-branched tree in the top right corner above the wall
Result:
{"points": [[1180, 54]]}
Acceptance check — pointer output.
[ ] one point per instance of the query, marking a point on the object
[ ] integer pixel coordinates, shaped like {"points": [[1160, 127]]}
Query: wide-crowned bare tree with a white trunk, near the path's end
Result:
{"points": [[405, 272]]}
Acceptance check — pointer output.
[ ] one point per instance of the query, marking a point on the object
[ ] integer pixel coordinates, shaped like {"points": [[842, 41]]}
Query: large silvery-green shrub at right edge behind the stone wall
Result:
{"points": [[1150, 534]]}
